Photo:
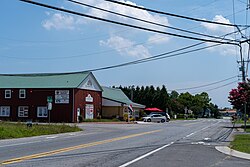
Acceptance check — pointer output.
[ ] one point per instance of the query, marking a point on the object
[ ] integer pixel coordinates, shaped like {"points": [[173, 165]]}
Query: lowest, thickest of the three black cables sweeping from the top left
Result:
{"points": [[123, 24]]}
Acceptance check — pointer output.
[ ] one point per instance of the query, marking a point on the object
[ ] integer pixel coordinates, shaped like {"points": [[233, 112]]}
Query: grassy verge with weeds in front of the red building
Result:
{"points": [[12, 130]]}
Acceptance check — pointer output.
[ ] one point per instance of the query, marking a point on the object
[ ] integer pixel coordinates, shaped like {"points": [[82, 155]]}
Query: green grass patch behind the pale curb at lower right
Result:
{"points": [[241, 143]]}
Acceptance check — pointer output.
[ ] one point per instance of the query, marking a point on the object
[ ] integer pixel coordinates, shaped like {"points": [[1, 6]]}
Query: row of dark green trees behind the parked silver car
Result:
{"points": [[173, 102]]}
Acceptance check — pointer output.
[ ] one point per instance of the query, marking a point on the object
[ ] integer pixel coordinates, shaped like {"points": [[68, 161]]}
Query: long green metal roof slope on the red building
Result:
{"points": [[50, 80]]}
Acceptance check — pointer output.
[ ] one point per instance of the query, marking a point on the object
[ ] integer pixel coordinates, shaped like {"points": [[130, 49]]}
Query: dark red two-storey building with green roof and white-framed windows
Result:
{"points": [[55, 97]]}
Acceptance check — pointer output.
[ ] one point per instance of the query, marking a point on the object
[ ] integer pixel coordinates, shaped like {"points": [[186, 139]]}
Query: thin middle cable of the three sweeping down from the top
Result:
{"points": [[145, 21]]}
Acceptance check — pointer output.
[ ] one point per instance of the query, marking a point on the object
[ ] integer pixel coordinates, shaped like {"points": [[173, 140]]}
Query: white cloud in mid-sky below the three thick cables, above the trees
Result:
{"points": [[126, 47]]}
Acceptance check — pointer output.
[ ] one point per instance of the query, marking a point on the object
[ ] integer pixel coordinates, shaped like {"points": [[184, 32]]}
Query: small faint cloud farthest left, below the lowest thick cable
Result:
{"points": [[59, 21]]}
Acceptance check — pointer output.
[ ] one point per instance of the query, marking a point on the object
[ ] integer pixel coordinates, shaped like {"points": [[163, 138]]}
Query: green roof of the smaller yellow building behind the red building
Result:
{"points": [[118, 95]]}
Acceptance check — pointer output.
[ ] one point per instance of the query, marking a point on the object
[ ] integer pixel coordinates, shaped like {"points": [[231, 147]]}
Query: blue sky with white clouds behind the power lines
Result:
{"points": [[35, 39]]}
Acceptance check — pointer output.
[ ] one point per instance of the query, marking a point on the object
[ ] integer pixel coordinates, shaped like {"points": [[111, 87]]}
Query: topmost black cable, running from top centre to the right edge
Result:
{"points": [[175, 15]]}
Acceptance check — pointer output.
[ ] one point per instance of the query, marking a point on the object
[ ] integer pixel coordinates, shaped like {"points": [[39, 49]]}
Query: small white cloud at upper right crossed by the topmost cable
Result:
{"points": [[216, 28]]}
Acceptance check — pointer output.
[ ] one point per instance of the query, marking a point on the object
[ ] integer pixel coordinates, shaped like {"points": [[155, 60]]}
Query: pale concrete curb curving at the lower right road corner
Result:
{"points": [[231, 152]]}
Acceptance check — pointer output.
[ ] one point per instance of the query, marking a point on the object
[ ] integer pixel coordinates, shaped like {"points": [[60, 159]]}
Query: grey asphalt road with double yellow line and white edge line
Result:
{"points": [[176, 143]]}
